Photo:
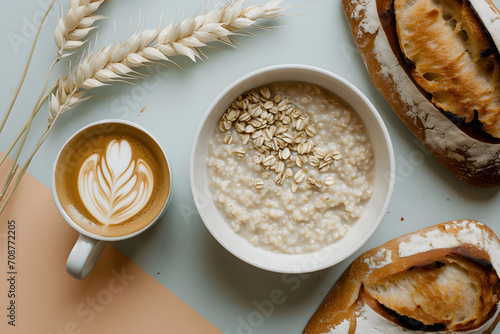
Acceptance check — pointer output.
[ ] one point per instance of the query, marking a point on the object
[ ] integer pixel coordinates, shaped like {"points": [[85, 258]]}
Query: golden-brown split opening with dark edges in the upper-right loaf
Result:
{"points": [[428, 59]]}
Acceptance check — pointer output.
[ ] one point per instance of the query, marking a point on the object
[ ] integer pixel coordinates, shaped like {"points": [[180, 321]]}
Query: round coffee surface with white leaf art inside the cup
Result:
{"points": [[112, 179]]}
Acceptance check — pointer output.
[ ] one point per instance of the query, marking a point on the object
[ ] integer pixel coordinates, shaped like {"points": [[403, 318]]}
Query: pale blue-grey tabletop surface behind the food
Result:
{"points": [[178, 251]]}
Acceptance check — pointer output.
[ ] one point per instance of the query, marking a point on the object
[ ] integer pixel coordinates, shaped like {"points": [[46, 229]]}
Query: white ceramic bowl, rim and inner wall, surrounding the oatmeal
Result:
{"points": [[361, 231]]}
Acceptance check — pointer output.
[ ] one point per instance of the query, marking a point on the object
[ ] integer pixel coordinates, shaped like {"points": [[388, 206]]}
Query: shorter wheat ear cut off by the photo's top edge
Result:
{"points": [[74, 26]]}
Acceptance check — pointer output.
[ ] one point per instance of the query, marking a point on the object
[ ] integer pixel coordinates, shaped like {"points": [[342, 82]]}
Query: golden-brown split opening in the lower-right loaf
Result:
{"points": [[453, 292]]}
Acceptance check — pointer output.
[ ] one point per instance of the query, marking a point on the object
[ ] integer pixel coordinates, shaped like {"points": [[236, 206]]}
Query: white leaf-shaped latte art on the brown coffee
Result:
{"points": [[114, 187]]}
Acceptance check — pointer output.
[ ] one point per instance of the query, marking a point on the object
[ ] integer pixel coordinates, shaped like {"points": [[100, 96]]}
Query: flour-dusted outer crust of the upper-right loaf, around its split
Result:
{"points": [[475, 162]]}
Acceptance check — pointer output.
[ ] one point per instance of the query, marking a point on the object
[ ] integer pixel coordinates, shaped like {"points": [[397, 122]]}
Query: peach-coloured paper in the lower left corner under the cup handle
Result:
{"points": [[117, 297]]}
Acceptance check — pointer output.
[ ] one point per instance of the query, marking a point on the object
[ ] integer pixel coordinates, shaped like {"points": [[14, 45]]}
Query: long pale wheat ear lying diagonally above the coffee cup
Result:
{"points": [[176, 39]]}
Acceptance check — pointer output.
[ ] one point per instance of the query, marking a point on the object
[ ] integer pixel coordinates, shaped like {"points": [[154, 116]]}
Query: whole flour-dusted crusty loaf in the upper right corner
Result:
{"points": [[437, 64]]}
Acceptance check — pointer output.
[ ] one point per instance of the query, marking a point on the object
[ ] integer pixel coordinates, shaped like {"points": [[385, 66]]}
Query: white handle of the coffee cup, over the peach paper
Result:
{"points": [[83, 256]]}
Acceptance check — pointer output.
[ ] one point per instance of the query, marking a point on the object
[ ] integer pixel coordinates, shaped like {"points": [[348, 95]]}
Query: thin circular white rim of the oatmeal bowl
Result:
{"points": [[391, 174]]}
